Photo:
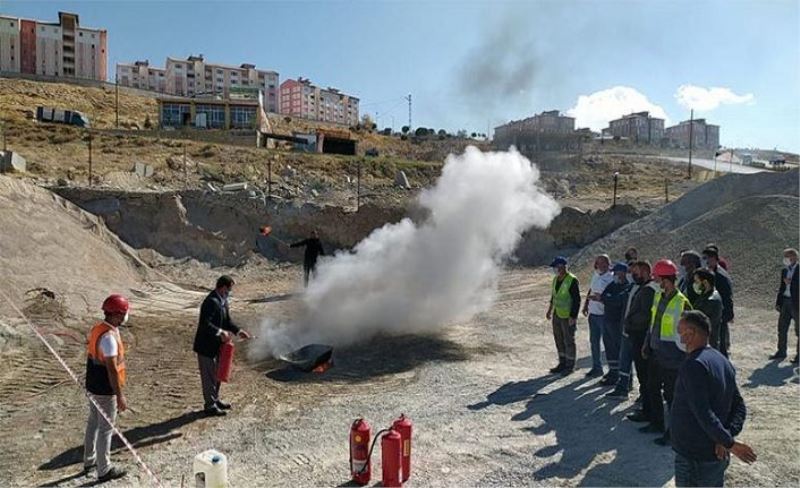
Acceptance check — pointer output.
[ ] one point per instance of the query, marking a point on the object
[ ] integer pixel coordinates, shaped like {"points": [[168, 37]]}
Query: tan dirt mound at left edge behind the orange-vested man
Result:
{"points": [[56, 259]]}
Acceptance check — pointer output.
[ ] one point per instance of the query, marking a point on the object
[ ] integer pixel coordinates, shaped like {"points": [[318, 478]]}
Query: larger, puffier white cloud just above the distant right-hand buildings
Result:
{"points": [[595, 110]]}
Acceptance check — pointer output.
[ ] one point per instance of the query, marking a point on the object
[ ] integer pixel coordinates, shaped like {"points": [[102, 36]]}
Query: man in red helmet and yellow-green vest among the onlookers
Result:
{"points": [[663, 347]]}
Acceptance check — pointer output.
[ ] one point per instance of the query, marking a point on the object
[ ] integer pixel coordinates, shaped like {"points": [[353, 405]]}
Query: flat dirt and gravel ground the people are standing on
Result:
{"points": [[485, 410]]}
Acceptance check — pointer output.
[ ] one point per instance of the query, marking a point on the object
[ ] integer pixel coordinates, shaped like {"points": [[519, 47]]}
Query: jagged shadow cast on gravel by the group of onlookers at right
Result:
{"points": [[592, 437]]}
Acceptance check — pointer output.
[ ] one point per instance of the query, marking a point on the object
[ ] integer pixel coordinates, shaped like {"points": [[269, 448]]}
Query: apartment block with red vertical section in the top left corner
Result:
{"points": [[53, 49]]}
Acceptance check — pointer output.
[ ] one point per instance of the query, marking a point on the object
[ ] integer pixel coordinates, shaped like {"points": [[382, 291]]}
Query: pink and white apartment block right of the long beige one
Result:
{"points": [[301, 98]]}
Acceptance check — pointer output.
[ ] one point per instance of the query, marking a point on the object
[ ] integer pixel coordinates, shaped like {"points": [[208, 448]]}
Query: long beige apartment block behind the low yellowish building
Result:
{"points": [[193, 77]]}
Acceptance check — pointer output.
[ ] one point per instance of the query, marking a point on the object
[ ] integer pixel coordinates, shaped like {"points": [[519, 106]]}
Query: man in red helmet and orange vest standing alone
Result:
{"points": [[105, 378]]}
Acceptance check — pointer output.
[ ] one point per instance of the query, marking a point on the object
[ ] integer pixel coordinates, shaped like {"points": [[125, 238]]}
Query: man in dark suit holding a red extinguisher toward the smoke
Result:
{"points": [[214, 328]]}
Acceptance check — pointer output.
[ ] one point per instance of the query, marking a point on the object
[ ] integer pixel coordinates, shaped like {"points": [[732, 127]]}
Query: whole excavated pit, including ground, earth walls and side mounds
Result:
{"points": [[485, 410]]}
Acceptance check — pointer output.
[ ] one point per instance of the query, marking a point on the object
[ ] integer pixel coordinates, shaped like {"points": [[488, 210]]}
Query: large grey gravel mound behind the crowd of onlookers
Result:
{"points": [[752, 218]]}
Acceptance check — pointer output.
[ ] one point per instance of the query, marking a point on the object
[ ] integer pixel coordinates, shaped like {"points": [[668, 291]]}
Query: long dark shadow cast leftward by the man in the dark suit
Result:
{"points": [[146, 435]]}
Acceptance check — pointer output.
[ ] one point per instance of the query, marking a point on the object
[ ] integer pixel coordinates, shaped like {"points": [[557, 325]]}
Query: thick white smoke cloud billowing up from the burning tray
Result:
{"points": [[410, 277]]}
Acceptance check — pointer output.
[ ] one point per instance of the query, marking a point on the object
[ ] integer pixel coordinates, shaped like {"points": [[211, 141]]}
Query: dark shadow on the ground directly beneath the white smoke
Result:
{"points": [[380, 356]]}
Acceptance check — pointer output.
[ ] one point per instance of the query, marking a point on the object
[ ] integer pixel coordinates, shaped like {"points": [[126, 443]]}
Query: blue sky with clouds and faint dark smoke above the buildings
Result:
{"points": [[475, 64]]}
